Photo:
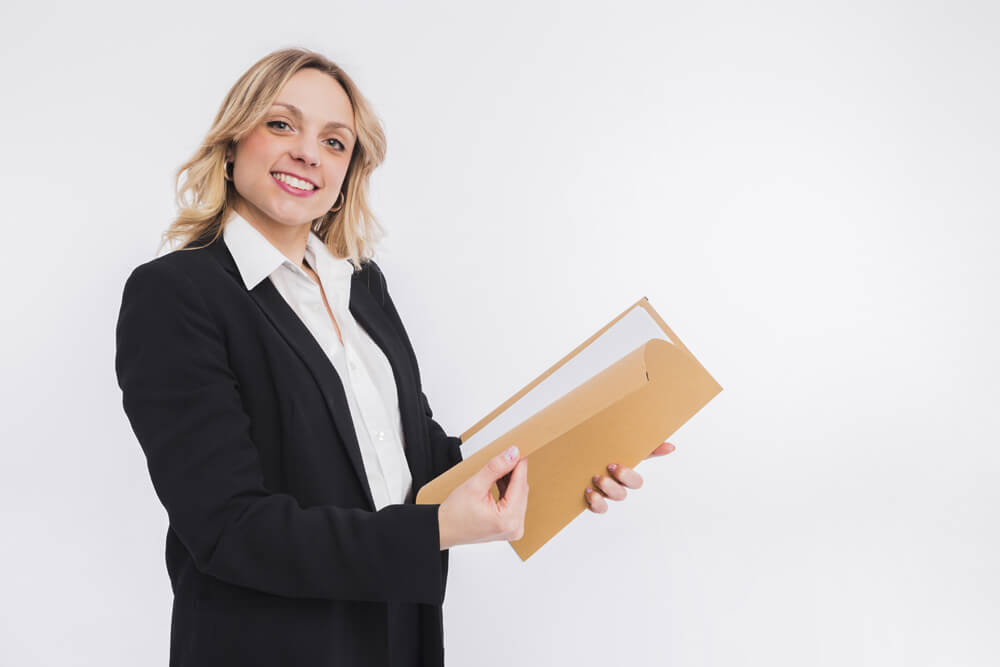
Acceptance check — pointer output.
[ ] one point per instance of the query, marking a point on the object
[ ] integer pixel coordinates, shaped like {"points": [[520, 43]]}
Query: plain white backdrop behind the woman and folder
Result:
{"points": [[807, 192]]}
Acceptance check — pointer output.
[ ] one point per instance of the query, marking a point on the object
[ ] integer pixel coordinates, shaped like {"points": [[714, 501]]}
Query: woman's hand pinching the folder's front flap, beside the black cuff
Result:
{"points": [[470, 514]]}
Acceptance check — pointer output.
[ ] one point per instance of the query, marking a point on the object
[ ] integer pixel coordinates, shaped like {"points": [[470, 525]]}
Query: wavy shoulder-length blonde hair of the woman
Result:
{"points": [[206, 197]]}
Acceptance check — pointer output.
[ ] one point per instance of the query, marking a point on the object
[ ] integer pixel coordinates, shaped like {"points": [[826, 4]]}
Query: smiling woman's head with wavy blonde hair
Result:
{"points": [[295, 119]]}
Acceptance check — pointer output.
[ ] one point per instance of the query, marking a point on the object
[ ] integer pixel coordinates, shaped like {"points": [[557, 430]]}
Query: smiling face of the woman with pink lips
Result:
{"points": [[307, 134]]}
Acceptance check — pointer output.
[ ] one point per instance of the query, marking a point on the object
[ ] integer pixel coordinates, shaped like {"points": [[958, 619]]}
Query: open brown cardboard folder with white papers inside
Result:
{"points": [[647, 390]]}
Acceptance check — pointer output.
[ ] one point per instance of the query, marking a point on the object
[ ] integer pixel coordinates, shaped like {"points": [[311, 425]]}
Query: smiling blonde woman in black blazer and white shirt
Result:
{"points": [[277, 398]]}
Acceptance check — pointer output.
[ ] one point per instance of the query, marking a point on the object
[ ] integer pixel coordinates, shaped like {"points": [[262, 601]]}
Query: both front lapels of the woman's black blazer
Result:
{"points": [[370, 316]]}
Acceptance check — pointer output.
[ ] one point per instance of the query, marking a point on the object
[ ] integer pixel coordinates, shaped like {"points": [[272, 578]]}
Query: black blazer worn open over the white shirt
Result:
{"points": [[275, 552]]}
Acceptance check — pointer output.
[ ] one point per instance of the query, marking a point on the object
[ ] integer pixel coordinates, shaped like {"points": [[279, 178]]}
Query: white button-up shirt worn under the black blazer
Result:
{"points": [[365, 372]]}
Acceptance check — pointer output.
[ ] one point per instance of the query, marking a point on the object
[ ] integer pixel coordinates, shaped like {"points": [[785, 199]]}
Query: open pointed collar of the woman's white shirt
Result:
{"points": [[257, 259]]}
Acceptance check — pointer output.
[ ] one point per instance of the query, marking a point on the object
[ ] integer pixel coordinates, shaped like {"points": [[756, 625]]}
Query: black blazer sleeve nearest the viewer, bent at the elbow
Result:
{"points": [[183, 402]]}
